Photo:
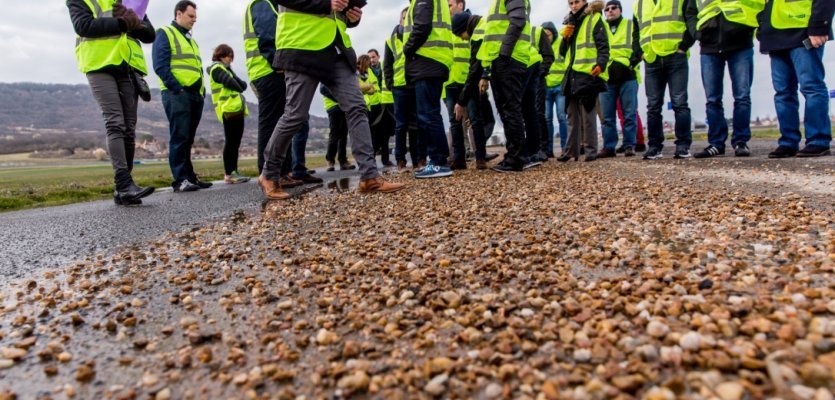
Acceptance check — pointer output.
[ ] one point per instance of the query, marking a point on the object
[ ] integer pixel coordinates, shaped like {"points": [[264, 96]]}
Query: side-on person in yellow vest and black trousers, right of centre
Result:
{"points": [[505, 51]]}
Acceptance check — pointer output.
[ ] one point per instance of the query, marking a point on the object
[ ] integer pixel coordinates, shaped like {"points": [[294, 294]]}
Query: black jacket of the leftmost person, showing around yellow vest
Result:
{"points": [[86, 25]]}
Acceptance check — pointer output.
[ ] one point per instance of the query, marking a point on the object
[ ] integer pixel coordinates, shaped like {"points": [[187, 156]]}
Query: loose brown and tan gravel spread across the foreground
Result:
{"points": [[568, 281]]}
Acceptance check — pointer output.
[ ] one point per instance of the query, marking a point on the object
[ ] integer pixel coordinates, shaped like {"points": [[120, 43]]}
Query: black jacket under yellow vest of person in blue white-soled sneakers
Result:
{"points": [[417, 66]]}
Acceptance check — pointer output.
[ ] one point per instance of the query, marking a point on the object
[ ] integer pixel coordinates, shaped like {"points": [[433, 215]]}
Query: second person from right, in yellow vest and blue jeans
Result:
{"points": [[725, 31]]}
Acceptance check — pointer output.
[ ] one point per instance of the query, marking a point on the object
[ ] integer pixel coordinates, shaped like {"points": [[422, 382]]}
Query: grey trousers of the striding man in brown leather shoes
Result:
{"points": [[344, 85]]}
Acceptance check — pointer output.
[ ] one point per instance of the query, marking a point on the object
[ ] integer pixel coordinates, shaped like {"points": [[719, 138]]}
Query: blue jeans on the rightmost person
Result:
{"points": [[804, 67]]}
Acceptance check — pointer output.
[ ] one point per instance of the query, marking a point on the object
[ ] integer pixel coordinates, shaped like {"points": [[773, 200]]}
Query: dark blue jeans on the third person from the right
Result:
{"points": [[669, 71]]}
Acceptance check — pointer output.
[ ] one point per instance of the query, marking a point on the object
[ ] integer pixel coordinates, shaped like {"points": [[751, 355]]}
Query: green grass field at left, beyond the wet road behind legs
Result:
{"points": [[52, 185]]}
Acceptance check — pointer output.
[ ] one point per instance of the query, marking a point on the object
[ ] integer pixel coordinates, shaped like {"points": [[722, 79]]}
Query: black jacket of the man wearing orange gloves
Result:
{"points": [[583, 84]]}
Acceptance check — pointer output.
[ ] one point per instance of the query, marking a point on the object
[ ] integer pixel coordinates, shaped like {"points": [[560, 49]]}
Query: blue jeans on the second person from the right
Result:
{"points": [[741, 68]]}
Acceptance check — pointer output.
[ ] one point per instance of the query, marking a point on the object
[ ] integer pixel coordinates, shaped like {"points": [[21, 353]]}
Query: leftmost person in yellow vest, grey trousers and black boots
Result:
{"points": [[109, 54]]}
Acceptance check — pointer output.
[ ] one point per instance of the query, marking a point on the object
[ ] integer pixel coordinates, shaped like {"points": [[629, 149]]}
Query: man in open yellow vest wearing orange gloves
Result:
{"points": [[585, 47]]}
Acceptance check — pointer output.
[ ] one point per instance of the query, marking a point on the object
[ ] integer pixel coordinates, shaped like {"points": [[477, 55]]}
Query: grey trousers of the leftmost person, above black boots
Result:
{"points": [[117, 99]]}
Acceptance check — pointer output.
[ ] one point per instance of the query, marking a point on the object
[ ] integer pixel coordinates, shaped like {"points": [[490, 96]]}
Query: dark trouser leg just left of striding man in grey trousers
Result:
{"points": [[272, 94]]}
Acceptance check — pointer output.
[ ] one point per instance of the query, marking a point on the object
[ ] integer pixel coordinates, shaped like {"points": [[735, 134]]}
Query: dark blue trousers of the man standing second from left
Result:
{"points": [[184, 110]]}
